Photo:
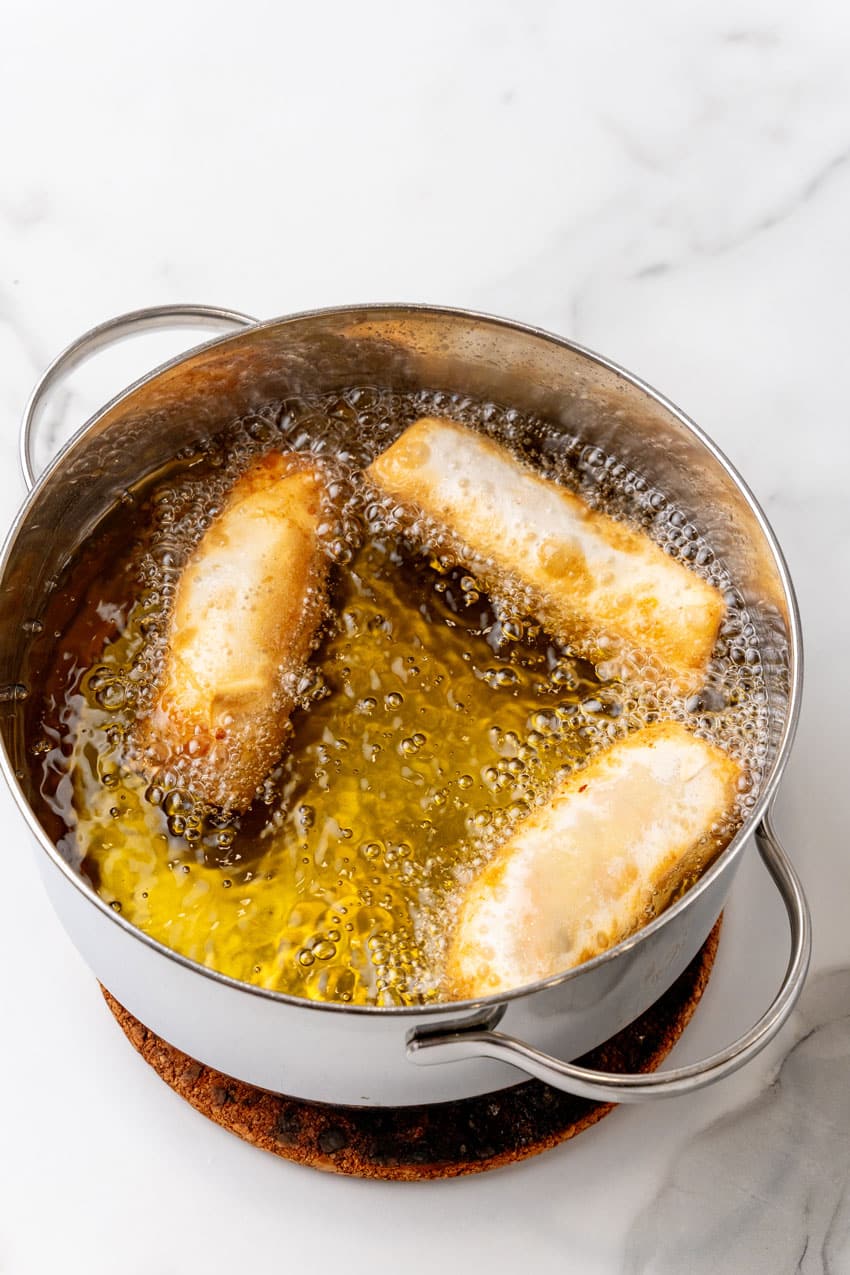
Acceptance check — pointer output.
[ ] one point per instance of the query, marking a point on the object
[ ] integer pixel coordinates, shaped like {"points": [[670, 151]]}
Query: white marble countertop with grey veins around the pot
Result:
{"points": [[671, 188]]}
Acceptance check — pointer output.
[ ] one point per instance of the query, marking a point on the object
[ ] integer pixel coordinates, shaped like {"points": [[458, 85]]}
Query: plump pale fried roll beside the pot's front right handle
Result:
{"points": [[596, 864]]}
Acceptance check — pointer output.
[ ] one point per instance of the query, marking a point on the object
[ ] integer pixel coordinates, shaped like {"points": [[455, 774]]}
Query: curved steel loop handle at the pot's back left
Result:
{"points": [[110, 333]]}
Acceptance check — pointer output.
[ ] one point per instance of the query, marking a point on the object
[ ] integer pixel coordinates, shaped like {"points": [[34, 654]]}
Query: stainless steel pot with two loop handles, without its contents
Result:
{"points": [[370, 1056]]}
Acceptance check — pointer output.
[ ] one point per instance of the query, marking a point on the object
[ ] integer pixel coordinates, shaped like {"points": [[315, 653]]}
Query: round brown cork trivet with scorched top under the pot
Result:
{"points": [[439, 1140]]}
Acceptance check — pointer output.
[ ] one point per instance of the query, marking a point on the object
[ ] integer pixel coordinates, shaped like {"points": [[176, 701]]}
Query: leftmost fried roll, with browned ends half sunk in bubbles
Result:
{"points": [[244, 622]]}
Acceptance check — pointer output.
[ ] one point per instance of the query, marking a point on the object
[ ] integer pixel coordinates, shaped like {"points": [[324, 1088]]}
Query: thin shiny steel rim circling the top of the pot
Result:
{"points": [[494, 1002]]}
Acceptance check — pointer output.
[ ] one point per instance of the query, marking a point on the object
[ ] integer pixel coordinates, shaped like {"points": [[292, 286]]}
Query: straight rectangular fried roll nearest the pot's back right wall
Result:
{"points": [[593, 579]]}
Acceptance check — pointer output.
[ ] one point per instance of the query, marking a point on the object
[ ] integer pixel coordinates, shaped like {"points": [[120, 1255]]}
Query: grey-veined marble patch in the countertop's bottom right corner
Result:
{"points": [[767, 1189]]}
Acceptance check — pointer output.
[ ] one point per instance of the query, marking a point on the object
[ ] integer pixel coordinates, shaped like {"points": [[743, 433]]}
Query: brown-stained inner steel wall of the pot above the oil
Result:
{"points": [[401, 349]]}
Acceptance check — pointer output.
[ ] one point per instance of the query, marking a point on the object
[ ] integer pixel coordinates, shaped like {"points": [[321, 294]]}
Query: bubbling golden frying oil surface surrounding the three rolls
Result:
{"points": [[430, 717]]}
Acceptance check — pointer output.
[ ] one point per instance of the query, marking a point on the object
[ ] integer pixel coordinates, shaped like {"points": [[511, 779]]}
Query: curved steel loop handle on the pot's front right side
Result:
{"points": [[428, 1046]]}
